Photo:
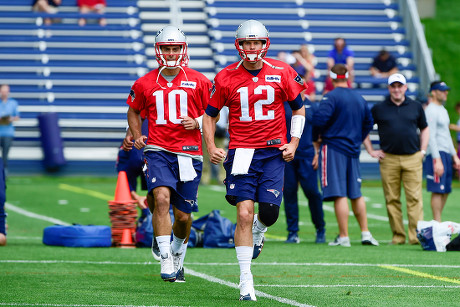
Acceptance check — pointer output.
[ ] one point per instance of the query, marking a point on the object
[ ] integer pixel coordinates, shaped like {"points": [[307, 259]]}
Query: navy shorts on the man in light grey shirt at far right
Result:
{"points": [[435, 184]]}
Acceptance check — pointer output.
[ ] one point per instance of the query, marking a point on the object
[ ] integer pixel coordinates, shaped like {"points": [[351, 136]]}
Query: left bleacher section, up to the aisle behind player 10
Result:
{"points": [[82, 73]]}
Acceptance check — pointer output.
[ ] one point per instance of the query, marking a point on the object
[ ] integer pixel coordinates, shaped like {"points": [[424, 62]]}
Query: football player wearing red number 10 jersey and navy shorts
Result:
{"points": [[174, 98]]}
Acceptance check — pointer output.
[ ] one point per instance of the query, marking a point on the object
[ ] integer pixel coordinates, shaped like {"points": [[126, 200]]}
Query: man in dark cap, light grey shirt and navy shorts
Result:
{"points": [[441, 152]]}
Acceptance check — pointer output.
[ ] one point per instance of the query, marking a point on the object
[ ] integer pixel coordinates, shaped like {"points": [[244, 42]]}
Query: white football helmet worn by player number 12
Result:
{"points": [[252, 30]]}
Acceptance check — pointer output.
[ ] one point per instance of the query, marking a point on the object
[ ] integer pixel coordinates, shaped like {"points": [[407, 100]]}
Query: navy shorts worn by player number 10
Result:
{"points": [[162, 169]]}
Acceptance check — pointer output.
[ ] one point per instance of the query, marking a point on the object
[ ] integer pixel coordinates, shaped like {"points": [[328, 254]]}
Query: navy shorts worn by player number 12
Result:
{"points": [[264, 181]]}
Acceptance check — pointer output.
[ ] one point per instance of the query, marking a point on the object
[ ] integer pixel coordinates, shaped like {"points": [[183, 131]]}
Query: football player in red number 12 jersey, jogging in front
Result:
{"points": [[254, 89]]}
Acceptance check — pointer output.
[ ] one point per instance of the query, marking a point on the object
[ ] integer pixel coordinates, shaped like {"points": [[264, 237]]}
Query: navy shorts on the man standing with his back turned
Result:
{"points": [[339, 174]]}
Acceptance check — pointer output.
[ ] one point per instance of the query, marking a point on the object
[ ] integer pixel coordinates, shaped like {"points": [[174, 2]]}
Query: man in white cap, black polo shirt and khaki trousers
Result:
{"points": [[401, 153]]}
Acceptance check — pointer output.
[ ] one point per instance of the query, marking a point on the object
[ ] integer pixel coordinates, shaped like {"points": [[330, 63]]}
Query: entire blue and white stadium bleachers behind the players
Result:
{"points": [[84, 73]]}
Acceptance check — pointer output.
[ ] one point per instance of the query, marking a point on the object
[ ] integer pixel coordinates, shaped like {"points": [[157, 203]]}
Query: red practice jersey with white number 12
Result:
{"points": [[256, 109]]}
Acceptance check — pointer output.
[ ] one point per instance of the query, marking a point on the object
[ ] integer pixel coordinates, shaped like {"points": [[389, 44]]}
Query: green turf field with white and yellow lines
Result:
{"points": [[32, 274]]}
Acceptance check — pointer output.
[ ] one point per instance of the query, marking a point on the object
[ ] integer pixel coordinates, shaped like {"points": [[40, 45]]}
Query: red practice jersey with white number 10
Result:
{"points": [[165, 102]]}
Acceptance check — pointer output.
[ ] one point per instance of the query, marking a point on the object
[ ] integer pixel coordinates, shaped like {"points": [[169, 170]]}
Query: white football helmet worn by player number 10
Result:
{"points": [[171, 36]]}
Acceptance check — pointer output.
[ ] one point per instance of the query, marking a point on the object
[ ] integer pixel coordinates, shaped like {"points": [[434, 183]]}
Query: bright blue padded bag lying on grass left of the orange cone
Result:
{"points": [[78, 236]]}
